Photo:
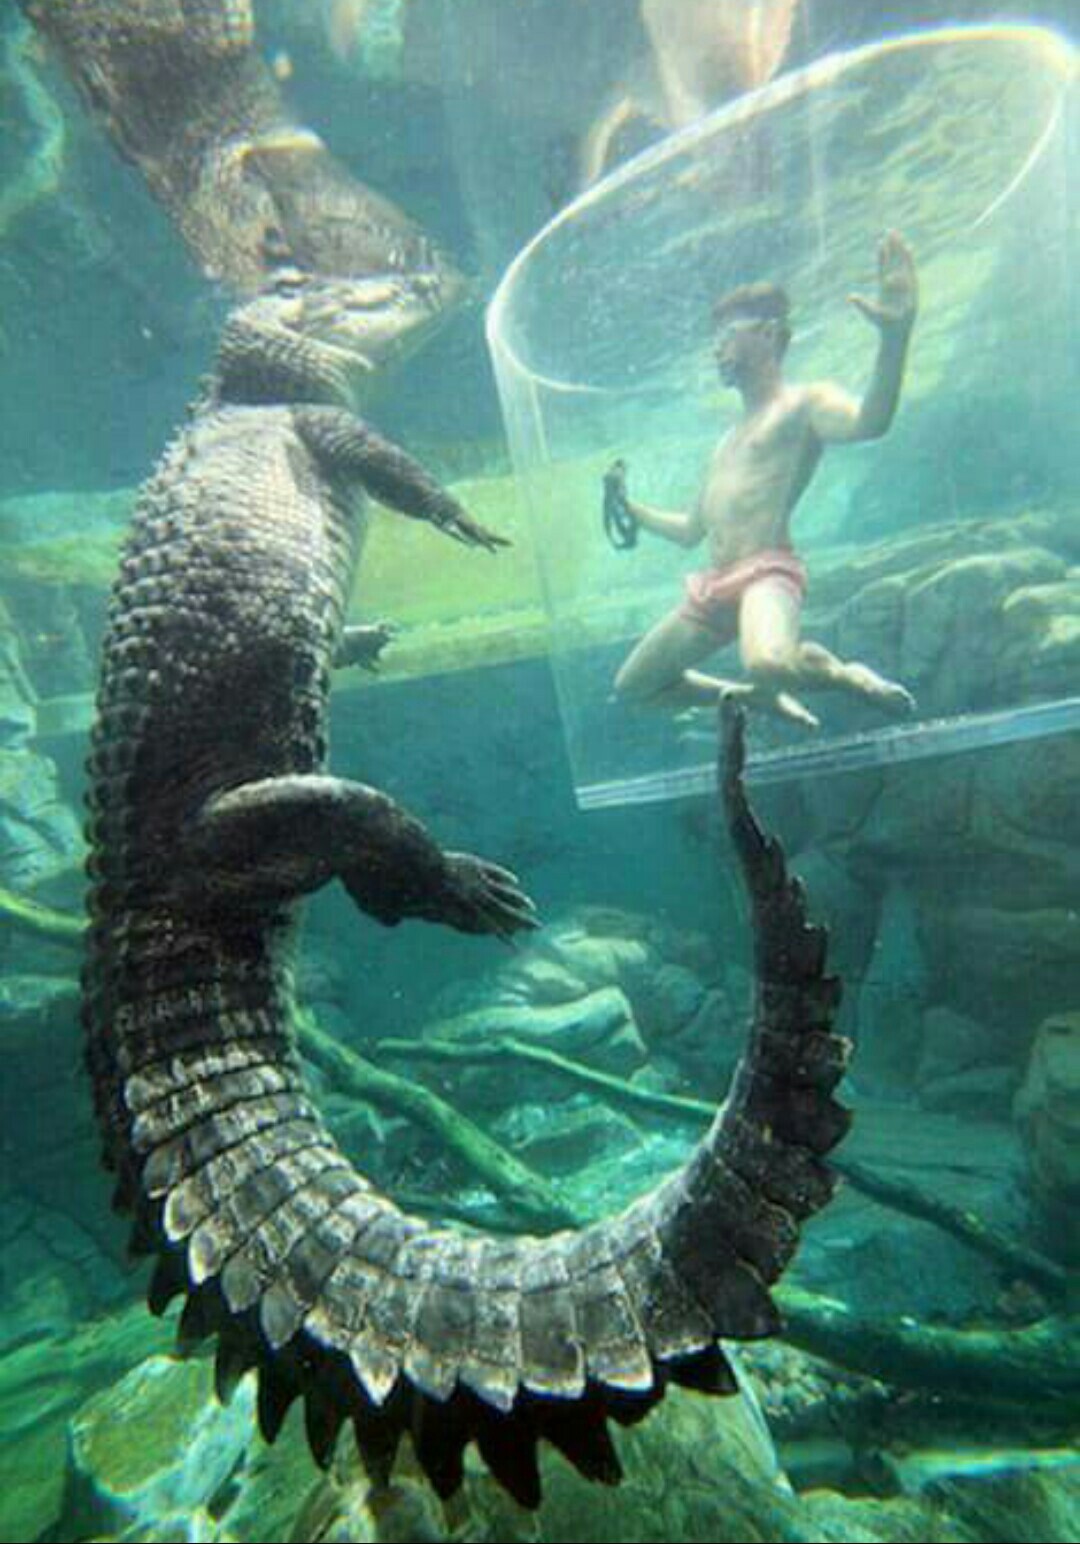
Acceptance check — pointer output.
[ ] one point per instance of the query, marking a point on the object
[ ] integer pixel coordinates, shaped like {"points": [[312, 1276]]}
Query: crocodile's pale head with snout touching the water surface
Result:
{"points": [[310, 337]]}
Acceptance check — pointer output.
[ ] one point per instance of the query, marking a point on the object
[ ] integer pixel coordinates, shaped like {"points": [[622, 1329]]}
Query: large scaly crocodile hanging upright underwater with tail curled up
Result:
{"points": [[212, 816]]}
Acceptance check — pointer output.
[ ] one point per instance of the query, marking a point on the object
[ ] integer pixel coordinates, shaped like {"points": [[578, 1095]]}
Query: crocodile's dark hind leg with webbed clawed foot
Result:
{"points": [[279, 839]]}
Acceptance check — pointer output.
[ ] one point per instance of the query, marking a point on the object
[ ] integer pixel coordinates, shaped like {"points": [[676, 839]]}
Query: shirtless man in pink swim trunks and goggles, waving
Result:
{"points": [[758, 475]]}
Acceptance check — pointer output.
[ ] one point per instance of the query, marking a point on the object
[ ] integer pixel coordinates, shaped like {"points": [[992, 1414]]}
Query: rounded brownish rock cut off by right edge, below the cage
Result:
{"points": [[1048, 1109]]}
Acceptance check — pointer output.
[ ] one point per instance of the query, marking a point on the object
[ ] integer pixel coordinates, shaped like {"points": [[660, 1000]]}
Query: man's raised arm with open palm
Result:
{"points": [[835, 416]]}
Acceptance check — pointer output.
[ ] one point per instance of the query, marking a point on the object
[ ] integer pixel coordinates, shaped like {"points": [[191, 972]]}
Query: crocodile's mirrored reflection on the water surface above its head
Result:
{"points": [[185, 95]]}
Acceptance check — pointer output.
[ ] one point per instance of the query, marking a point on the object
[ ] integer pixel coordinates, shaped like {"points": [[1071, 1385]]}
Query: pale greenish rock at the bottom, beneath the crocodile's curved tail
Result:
{"points": [[154, 1454]]}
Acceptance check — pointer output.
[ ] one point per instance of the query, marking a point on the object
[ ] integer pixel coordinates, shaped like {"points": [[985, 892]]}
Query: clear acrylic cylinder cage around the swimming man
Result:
{"points": [[602, 347]]}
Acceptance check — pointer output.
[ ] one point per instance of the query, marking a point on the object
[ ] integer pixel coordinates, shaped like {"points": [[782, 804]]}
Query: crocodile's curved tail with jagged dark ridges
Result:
{"points": [[373, 1318]]}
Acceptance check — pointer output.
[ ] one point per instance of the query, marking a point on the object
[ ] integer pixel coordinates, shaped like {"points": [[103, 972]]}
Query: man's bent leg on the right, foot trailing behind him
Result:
{"points": [[775, 657]]}
